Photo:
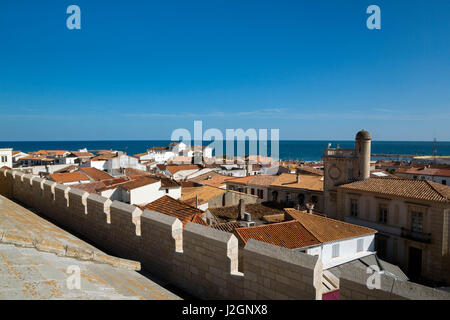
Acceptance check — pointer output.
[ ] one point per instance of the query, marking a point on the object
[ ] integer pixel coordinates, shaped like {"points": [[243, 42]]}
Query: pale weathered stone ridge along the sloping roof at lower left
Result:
{"points": [[43, 245]]}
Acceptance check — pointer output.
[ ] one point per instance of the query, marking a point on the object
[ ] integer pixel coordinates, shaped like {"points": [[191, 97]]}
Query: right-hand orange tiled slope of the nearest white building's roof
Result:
{"points": [[326, 229]]}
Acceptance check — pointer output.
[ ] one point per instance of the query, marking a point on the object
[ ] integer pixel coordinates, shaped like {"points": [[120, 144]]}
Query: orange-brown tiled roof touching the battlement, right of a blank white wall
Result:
{"points": [[175, 208]]}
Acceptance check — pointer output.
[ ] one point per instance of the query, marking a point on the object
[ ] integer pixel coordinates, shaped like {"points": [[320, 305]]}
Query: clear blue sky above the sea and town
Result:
{"points": [[139, 69]]}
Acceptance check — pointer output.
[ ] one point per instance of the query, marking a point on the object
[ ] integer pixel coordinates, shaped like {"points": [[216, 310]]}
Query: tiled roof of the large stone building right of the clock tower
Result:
{"points": [[408, 188]]}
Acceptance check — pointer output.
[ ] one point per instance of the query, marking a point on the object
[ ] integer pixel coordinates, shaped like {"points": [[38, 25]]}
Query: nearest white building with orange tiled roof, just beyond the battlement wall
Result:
{"points": [[334, 242]]}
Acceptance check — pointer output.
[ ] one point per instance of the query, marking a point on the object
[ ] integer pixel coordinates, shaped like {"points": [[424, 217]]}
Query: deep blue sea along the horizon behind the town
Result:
{"points": [[288, 149]]}
